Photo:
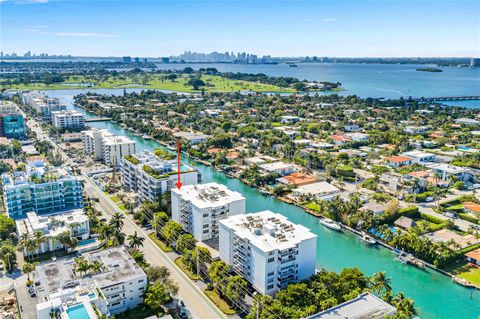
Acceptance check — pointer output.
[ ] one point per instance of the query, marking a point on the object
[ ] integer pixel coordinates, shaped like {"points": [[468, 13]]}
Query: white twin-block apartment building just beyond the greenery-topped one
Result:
{"points": [[103, 145]]}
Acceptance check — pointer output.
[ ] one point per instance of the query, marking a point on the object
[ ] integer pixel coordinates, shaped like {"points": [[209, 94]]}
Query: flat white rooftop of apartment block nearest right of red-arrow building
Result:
{"points": [[268, 230]]}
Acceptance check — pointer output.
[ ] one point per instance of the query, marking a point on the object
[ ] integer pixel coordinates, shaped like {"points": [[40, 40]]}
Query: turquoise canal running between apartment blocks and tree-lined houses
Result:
{"points": [[436, 296]]}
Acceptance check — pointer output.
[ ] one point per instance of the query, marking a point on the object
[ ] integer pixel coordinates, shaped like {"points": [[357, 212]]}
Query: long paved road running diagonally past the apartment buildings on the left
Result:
{"points": [[197, 303]]}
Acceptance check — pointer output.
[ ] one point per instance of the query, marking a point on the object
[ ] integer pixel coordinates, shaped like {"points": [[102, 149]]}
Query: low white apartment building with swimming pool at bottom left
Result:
{"points": [[117, 287]]}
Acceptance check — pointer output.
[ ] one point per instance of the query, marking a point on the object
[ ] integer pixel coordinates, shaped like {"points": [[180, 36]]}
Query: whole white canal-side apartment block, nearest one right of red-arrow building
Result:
{"points": [[268, 250]]}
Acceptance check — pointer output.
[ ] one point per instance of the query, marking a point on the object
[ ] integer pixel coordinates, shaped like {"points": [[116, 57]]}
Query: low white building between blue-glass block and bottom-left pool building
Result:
{"points": [[75, 222]]}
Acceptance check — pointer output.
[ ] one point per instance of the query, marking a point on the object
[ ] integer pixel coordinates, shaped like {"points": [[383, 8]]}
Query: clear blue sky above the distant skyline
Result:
{"points": [[280, 28]]}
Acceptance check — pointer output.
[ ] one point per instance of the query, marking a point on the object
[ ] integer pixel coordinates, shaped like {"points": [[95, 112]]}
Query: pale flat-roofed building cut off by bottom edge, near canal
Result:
{"points": [[366, 305]]}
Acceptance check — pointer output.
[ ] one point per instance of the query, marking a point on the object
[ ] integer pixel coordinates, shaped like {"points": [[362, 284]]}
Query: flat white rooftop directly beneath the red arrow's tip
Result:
{"points": [[208, 195]]}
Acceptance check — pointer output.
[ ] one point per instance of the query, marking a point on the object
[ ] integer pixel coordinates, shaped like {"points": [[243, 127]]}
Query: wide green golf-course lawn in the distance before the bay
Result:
{"points": [[155, 81]]}
